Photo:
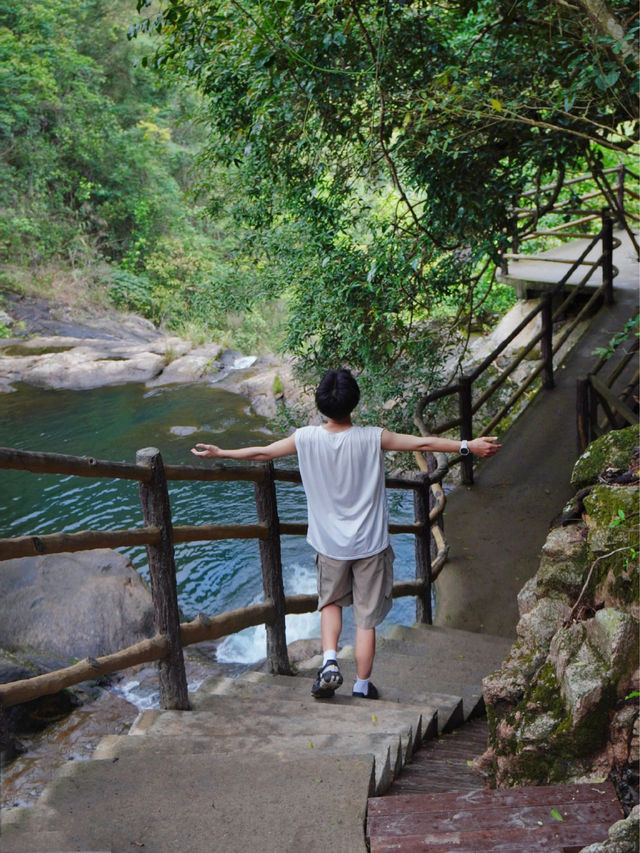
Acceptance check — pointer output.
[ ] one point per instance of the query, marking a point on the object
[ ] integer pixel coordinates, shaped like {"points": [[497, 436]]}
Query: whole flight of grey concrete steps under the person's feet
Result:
{"points": [[258, 764]]}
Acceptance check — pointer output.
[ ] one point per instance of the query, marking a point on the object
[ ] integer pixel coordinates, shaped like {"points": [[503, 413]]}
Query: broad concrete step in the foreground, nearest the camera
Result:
{"points": [[193, 803]]}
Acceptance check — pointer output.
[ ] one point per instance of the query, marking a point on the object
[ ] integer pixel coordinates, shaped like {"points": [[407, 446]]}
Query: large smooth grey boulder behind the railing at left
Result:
{"points": [[73, 605]]}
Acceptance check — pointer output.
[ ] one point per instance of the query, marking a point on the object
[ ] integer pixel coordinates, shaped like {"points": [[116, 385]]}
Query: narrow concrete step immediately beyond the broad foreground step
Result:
{"points": [[388, 750]]}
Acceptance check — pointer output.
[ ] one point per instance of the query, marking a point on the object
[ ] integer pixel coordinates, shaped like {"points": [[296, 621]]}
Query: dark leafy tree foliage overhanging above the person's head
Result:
{"points": [[379, 144]]}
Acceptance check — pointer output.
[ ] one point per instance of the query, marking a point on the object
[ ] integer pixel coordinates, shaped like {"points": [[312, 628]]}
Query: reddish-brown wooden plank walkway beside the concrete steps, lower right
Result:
{"points": [[438, 804]]}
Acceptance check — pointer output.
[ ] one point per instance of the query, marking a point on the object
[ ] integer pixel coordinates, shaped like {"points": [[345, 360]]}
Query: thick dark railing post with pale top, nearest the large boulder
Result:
{"points": [[156, 511]]}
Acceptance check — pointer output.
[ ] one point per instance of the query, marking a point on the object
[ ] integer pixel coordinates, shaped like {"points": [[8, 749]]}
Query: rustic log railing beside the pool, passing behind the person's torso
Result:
{"points": [[160, 536]]}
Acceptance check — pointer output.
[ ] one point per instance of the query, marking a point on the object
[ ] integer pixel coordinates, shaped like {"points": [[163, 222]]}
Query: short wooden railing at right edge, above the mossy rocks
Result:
{"points": [[606, 402]]}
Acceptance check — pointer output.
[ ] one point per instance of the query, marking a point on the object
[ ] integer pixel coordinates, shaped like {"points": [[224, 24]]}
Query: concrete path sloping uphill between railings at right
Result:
{"points": [[497, 527]]}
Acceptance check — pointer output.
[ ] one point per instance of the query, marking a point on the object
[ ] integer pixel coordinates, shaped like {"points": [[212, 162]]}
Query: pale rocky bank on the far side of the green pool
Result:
{"points": [[55, 347]]}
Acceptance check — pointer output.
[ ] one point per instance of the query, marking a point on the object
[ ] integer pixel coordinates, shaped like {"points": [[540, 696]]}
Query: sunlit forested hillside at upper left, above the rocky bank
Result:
{"points": [[97, 166]]}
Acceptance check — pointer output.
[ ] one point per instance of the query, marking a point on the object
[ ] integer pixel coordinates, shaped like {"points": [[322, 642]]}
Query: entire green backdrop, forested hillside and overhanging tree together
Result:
{"points": [[347, 168]]}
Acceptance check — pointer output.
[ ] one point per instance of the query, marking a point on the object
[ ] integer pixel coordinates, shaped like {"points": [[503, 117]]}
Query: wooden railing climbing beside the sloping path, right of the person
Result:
{"points": [[553, 305]]}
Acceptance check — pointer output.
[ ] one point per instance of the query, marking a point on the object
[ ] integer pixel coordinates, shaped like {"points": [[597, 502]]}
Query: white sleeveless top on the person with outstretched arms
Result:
{"points": [[343, 478]]}
